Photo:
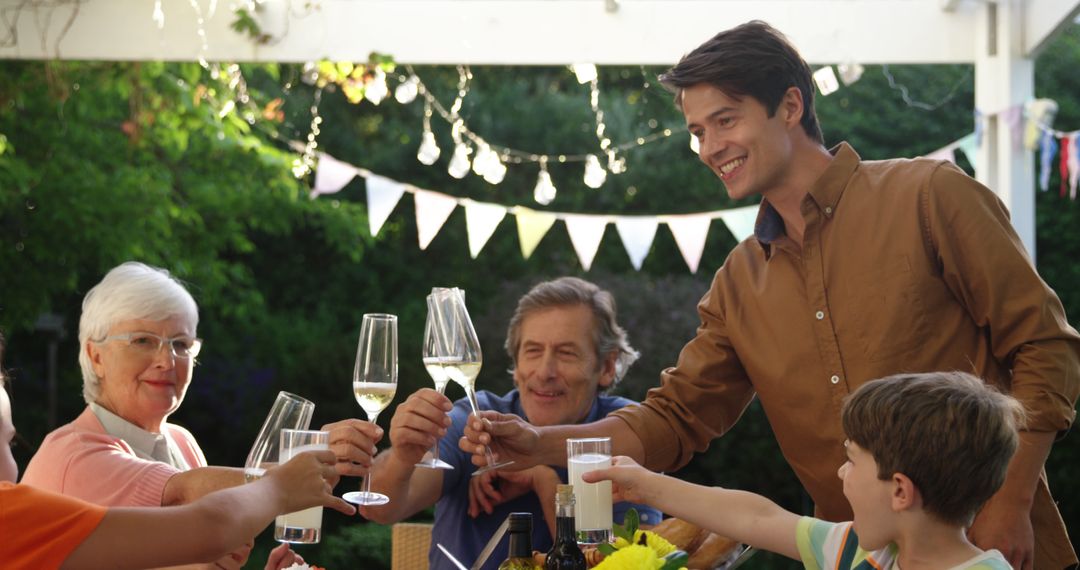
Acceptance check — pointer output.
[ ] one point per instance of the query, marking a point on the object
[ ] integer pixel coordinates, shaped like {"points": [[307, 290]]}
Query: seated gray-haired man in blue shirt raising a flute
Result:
{"points": [[568, 348]]}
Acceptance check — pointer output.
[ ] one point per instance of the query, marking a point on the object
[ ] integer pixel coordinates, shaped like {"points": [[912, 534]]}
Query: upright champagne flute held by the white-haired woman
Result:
{"points": [[374, 384]]}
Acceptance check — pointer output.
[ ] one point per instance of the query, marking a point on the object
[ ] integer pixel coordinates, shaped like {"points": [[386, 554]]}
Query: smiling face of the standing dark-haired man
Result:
{"points": [[749, 151]]}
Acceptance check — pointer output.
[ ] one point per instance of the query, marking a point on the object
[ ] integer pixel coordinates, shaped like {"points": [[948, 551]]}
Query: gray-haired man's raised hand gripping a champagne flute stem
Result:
{"points": [[418, 424]]}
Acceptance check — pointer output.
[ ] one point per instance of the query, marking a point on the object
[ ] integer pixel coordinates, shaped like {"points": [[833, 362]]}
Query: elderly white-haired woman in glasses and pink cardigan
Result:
{"points": [[138, 345]]}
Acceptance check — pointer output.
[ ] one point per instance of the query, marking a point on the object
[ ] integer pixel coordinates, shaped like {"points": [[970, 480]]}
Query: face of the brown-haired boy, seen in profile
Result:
{"points": [[871, 498]]}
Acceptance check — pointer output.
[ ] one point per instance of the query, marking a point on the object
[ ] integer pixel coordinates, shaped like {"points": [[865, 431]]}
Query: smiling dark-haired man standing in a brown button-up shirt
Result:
{"points": [[857, 270]]}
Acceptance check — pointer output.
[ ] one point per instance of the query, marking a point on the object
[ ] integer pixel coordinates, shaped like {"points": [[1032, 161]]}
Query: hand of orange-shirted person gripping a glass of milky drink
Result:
{"points": [[304, 482]]}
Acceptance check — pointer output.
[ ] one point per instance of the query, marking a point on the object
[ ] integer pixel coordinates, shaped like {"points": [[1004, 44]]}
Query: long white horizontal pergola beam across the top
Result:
{"points": [[495, 32]]}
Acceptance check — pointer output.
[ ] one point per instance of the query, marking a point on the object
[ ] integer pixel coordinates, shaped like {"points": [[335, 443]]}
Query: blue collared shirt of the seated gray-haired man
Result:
{"points": [[466, 537]]}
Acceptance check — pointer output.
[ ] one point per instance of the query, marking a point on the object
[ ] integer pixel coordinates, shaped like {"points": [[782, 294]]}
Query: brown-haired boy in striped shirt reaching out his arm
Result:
{"points": [[925, 452]]}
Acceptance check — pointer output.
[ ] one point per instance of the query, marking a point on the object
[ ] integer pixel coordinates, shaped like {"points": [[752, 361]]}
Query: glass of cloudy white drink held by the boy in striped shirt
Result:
{"points": [[593, 517]]}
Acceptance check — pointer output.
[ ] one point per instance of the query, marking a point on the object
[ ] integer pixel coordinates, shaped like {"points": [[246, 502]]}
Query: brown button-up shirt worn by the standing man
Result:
{"points": [[907, 266]]}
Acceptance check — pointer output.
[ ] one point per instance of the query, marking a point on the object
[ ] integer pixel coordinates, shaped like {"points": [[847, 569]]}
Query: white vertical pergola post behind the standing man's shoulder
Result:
{"points": [[1005, 79]]}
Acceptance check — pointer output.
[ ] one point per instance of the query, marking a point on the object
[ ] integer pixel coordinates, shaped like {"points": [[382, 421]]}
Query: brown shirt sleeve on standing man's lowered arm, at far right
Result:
{"points": [[985, 266]]}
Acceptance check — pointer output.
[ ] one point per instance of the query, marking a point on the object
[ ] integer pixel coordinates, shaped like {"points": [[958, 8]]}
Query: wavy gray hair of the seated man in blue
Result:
{"points": [[609, 336]]}
